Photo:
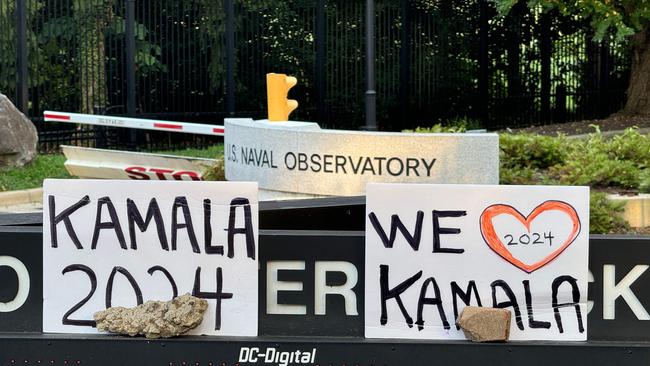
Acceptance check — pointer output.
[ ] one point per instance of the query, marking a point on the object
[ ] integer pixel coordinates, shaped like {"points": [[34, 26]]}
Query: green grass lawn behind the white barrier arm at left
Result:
{"points": [[51, 166]]}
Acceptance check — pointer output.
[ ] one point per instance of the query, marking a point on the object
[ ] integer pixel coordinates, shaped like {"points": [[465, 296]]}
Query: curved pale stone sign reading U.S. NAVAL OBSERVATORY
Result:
{"points": [[300, 157]]}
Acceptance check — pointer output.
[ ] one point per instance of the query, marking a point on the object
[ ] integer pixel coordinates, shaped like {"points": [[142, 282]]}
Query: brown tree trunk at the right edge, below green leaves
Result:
{"points": [[638, 92]]}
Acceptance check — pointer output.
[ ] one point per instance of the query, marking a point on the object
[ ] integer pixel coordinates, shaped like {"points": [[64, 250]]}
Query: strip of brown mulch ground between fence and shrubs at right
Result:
{"points": [[612, 123]]}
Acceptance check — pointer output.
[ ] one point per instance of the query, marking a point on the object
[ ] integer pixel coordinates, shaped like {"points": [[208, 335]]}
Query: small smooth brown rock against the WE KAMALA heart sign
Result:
{"points": [[485, 324]]}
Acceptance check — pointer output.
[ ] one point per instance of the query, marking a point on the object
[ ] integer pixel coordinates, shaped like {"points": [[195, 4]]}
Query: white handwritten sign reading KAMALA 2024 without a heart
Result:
{"points": [[119, 243]]}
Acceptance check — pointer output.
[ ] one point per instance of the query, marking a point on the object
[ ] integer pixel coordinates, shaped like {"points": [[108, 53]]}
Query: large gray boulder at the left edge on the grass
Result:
{"points": [[18, 136]]}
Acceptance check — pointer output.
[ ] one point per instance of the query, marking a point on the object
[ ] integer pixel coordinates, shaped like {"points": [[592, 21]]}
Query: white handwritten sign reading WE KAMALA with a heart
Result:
{"points": [[433, 249]]}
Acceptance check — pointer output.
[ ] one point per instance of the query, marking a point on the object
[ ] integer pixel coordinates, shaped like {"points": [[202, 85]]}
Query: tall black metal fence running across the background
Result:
{"points": [[436, 61]]}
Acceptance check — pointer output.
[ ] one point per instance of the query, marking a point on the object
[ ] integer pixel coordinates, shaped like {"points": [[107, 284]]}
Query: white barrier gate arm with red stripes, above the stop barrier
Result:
{"points": [[138, 123]]}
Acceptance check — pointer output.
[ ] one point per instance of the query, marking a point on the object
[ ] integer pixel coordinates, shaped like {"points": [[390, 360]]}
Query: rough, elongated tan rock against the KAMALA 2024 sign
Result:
{"points": [[154, 319]]}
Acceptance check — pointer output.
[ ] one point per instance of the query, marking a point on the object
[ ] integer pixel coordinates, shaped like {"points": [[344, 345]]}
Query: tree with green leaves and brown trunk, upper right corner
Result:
{"points": [[623, 19]]}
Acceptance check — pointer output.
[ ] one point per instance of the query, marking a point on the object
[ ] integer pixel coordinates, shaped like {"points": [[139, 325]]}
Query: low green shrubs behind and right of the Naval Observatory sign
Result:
{"points": [[603, 163]]}
